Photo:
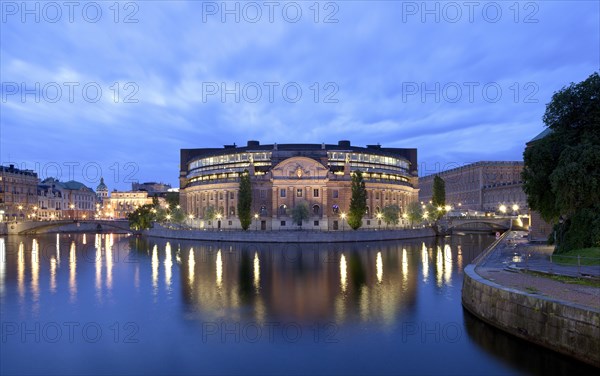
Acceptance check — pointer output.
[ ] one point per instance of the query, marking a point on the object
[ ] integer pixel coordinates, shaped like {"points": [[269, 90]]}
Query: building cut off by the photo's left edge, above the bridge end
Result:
{"points": [[18, 193]]}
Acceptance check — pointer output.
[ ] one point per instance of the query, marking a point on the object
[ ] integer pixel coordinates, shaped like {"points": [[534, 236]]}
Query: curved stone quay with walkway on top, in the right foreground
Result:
{"points": [[561, 316]]}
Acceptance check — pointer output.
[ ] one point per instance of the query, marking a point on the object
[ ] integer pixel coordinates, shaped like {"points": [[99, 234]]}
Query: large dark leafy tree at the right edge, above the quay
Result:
{"points": [[561, 176]]}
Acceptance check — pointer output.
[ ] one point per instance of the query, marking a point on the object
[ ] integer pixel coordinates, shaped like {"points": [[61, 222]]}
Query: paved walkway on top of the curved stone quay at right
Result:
{"points": [[515, 254]]}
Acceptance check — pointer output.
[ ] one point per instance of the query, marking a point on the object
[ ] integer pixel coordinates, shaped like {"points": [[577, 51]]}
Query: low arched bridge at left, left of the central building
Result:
{"points": [[91, 225]]}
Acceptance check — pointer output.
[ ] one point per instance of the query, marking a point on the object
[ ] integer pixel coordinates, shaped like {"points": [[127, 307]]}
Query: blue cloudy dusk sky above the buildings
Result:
{"points": [[94, 88]]}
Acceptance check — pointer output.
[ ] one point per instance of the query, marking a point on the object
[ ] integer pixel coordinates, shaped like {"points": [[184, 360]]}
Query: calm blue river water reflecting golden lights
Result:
{"points": [[108, 303]]}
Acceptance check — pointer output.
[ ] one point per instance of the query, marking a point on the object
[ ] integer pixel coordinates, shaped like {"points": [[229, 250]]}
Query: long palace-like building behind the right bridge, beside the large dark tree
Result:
{"points": [[480, 186]]}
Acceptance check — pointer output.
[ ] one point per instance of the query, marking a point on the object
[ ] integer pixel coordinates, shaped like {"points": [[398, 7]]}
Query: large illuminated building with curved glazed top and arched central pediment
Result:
{"points": [[286, 175]]}
